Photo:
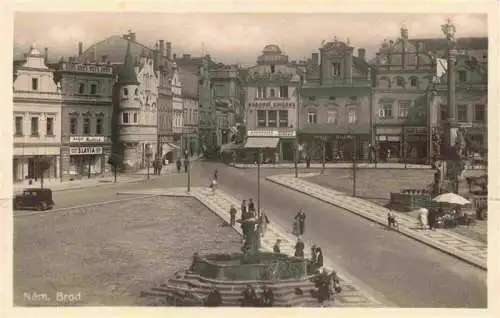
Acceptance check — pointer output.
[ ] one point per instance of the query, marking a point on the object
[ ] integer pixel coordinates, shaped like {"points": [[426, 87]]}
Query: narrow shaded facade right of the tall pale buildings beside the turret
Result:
{"points": [[190, 100]]}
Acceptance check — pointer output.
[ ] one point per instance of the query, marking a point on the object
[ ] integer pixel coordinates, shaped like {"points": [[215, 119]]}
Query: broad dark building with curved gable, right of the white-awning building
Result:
{"points": [[335, 114]]}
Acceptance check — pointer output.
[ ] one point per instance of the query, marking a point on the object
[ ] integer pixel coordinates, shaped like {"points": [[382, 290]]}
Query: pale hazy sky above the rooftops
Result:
{"points": [[232, 38]]}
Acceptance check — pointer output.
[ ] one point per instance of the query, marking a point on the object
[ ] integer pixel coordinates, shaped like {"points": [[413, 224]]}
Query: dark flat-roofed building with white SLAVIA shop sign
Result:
{"points": [[87, 110]]}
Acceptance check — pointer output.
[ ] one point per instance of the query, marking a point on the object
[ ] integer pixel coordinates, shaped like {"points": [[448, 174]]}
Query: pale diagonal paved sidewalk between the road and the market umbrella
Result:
{"points": [[471, 251]]}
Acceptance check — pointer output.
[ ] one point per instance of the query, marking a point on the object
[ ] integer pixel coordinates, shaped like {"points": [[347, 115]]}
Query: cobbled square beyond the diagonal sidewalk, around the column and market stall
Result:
{"points": [[376, 186]]}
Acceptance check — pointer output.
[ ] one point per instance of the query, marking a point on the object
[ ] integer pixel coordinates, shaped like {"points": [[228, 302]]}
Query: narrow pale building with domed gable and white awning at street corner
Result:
{"points": [[271, 103]]}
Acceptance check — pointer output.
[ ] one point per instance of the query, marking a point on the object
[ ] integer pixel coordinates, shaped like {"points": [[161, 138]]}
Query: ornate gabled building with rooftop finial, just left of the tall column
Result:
{"points": [[403, 72]]}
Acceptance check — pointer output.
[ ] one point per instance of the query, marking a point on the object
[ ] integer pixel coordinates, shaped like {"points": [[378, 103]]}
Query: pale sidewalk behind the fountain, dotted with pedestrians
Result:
{"points": [[351, 295]]}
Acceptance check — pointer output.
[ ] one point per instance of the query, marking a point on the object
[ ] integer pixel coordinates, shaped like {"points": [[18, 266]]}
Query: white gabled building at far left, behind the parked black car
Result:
{"points": [[37, 118]]}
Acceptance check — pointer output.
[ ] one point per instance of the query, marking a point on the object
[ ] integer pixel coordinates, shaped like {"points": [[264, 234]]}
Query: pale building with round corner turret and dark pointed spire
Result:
{"points": [[136, 97]]}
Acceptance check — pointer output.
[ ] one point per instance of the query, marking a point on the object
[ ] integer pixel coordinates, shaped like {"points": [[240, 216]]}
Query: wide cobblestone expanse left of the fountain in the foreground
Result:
{"points": [[110, 253]]}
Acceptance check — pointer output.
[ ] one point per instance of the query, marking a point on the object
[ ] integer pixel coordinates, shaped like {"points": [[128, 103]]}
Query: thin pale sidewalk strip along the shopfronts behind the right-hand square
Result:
{"points": [[346, 165]]}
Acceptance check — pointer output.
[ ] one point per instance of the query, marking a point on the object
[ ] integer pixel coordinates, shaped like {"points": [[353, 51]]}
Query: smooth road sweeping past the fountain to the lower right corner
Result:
{"points": [[394, 268]]}
